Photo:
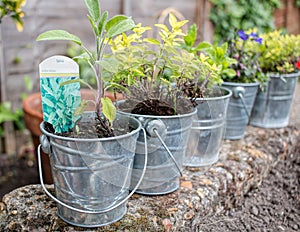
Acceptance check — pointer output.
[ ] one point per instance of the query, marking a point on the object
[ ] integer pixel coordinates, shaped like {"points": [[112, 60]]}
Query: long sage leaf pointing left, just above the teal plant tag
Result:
{"points": [[58, 35]]}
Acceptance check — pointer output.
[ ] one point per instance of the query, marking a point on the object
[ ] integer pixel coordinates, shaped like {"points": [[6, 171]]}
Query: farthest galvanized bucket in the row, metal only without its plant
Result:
{"points": [[272, 106]]}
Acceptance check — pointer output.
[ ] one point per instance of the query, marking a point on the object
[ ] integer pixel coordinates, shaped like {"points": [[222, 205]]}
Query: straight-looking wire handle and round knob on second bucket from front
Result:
{"points": [[153, 128]]}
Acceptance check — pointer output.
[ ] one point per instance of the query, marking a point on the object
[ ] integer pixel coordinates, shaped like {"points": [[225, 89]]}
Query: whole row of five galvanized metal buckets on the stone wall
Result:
{"points": [[94, 178]]}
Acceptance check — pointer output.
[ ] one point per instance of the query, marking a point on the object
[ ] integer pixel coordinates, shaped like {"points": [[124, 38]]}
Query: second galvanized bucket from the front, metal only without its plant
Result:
{"points": [[167, 138]]}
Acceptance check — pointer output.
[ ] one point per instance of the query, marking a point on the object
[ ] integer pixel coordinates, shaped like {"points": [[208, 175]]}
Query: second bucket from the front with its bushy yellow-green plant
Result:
{"points": [[159, 81]]}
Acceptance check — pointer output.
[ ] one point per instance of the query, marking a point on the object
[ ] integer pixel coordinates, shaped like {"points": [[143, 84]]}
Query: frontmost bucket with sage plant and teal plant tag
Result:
{"points": [[91, 175]]}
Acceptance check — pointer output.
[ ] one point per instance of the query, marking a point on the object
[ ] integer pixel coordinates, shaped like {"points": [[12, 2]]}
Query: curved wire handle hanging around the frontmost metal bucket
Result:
{"points": [[92, 211]]}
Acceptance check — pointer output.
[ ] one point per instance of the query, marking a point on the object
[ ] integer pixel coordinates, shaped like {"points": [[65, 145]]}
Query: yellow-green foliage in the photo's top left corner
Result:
{"points": [[13, 9]]}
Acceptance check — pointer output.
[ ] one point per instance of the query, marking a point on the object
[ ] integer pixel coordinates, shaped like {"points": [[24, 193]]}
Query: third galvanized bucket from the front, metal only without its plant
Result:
{"points": [[208, 130]]}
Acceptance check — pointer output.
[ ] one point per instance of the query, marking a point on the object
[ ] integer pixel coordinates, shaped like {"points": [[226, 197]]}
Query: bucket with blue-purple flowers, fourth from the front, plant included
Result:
{"points": [[245, 83]]}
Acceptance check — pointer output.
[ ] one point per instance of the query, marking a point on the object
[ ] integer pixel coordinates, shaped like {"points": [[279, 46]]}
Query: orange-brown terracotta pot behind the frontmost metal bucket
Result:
{"points": [[33, 116]]}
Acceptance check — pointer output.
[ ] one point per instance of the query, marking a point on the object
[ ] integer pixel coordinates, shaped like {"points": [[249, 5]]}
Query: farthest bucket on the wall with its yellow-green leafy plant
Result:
{"points": [[280, 60]]}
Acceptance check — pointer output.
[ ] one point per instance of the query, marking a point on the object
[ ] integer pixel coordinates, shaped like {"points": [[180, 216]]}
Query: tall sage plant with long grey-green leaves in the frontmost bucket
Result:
{"points": [[104, 29]]}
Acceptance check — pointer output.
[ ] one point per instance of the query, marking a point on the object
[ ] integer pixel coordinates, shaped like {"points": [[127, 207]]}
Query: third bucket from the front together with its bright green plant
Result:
{"points": [[208, 129]]}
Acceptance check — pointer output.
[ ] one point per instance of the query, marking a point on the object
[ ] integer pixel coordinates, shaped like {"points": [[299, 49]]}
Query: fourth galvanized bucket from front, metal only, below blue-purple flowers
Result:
{"points": [[239, 108]]}
